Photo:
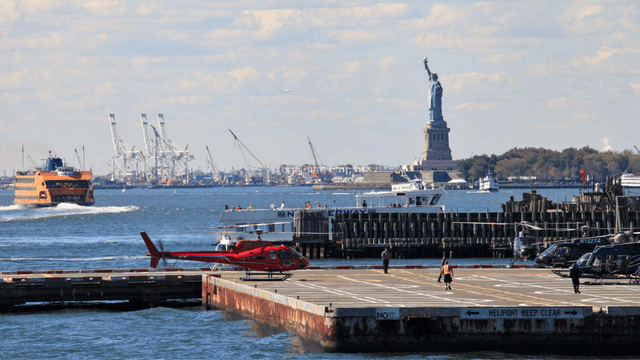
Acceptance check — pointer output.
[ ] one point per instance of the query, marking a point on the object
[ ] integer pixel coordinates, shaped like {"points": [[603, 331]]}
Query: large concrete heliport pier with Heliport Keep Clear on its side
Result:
{"points": [[509, 310]]}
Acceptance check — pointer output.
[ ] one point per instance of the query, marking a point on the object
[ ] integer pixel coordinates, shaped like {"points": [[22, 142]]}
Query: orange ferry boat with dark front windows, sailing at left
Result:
{"points": [[53, 184]]}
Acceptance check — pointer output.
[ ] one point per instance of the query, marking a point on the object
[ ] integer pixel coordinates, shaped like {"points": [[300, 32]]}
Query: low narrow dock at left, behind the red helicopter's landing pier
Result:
{"points": [[139, 287]]}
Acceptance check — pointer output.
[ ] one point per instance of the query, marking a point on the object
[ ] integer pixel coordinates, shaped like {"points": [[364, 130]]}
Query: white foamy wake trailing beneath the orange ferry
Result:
{"points": [[19, 213]]}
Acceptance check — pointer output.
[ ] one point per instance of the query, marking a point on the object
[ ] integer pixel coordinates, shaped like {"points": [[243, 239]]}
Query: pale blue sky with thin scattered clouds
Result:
{"points": [[550, 74]]}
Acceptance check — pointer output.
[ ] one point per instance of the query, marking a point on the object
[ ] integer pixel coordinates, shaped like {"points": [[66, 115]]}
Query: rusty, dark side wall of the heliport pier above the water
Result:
{"points": [[557, 330]]}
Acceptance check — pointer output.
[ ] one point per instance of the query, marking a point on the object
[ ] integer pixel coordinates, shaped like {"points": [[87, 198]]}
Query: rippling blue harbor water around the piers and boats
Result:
{"points": [[107, 236]]}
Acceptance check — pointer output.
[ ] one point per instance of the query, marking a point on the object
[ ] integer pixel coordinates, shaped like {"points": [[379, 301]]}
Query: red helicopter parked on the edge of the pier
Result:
{"points": [[256, 255]]}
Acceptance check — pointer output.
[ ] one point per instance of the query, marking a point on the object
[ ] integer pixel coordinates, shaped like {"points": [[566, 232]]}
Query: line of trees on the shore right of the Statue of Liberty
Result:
{"points": [[550, 165]]}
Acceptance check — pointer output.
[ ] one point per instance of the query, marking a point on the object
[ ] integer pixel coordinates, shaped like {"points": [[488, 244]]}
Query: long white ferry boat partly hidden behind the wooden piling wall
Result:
{"points": [[278, 225]]}
